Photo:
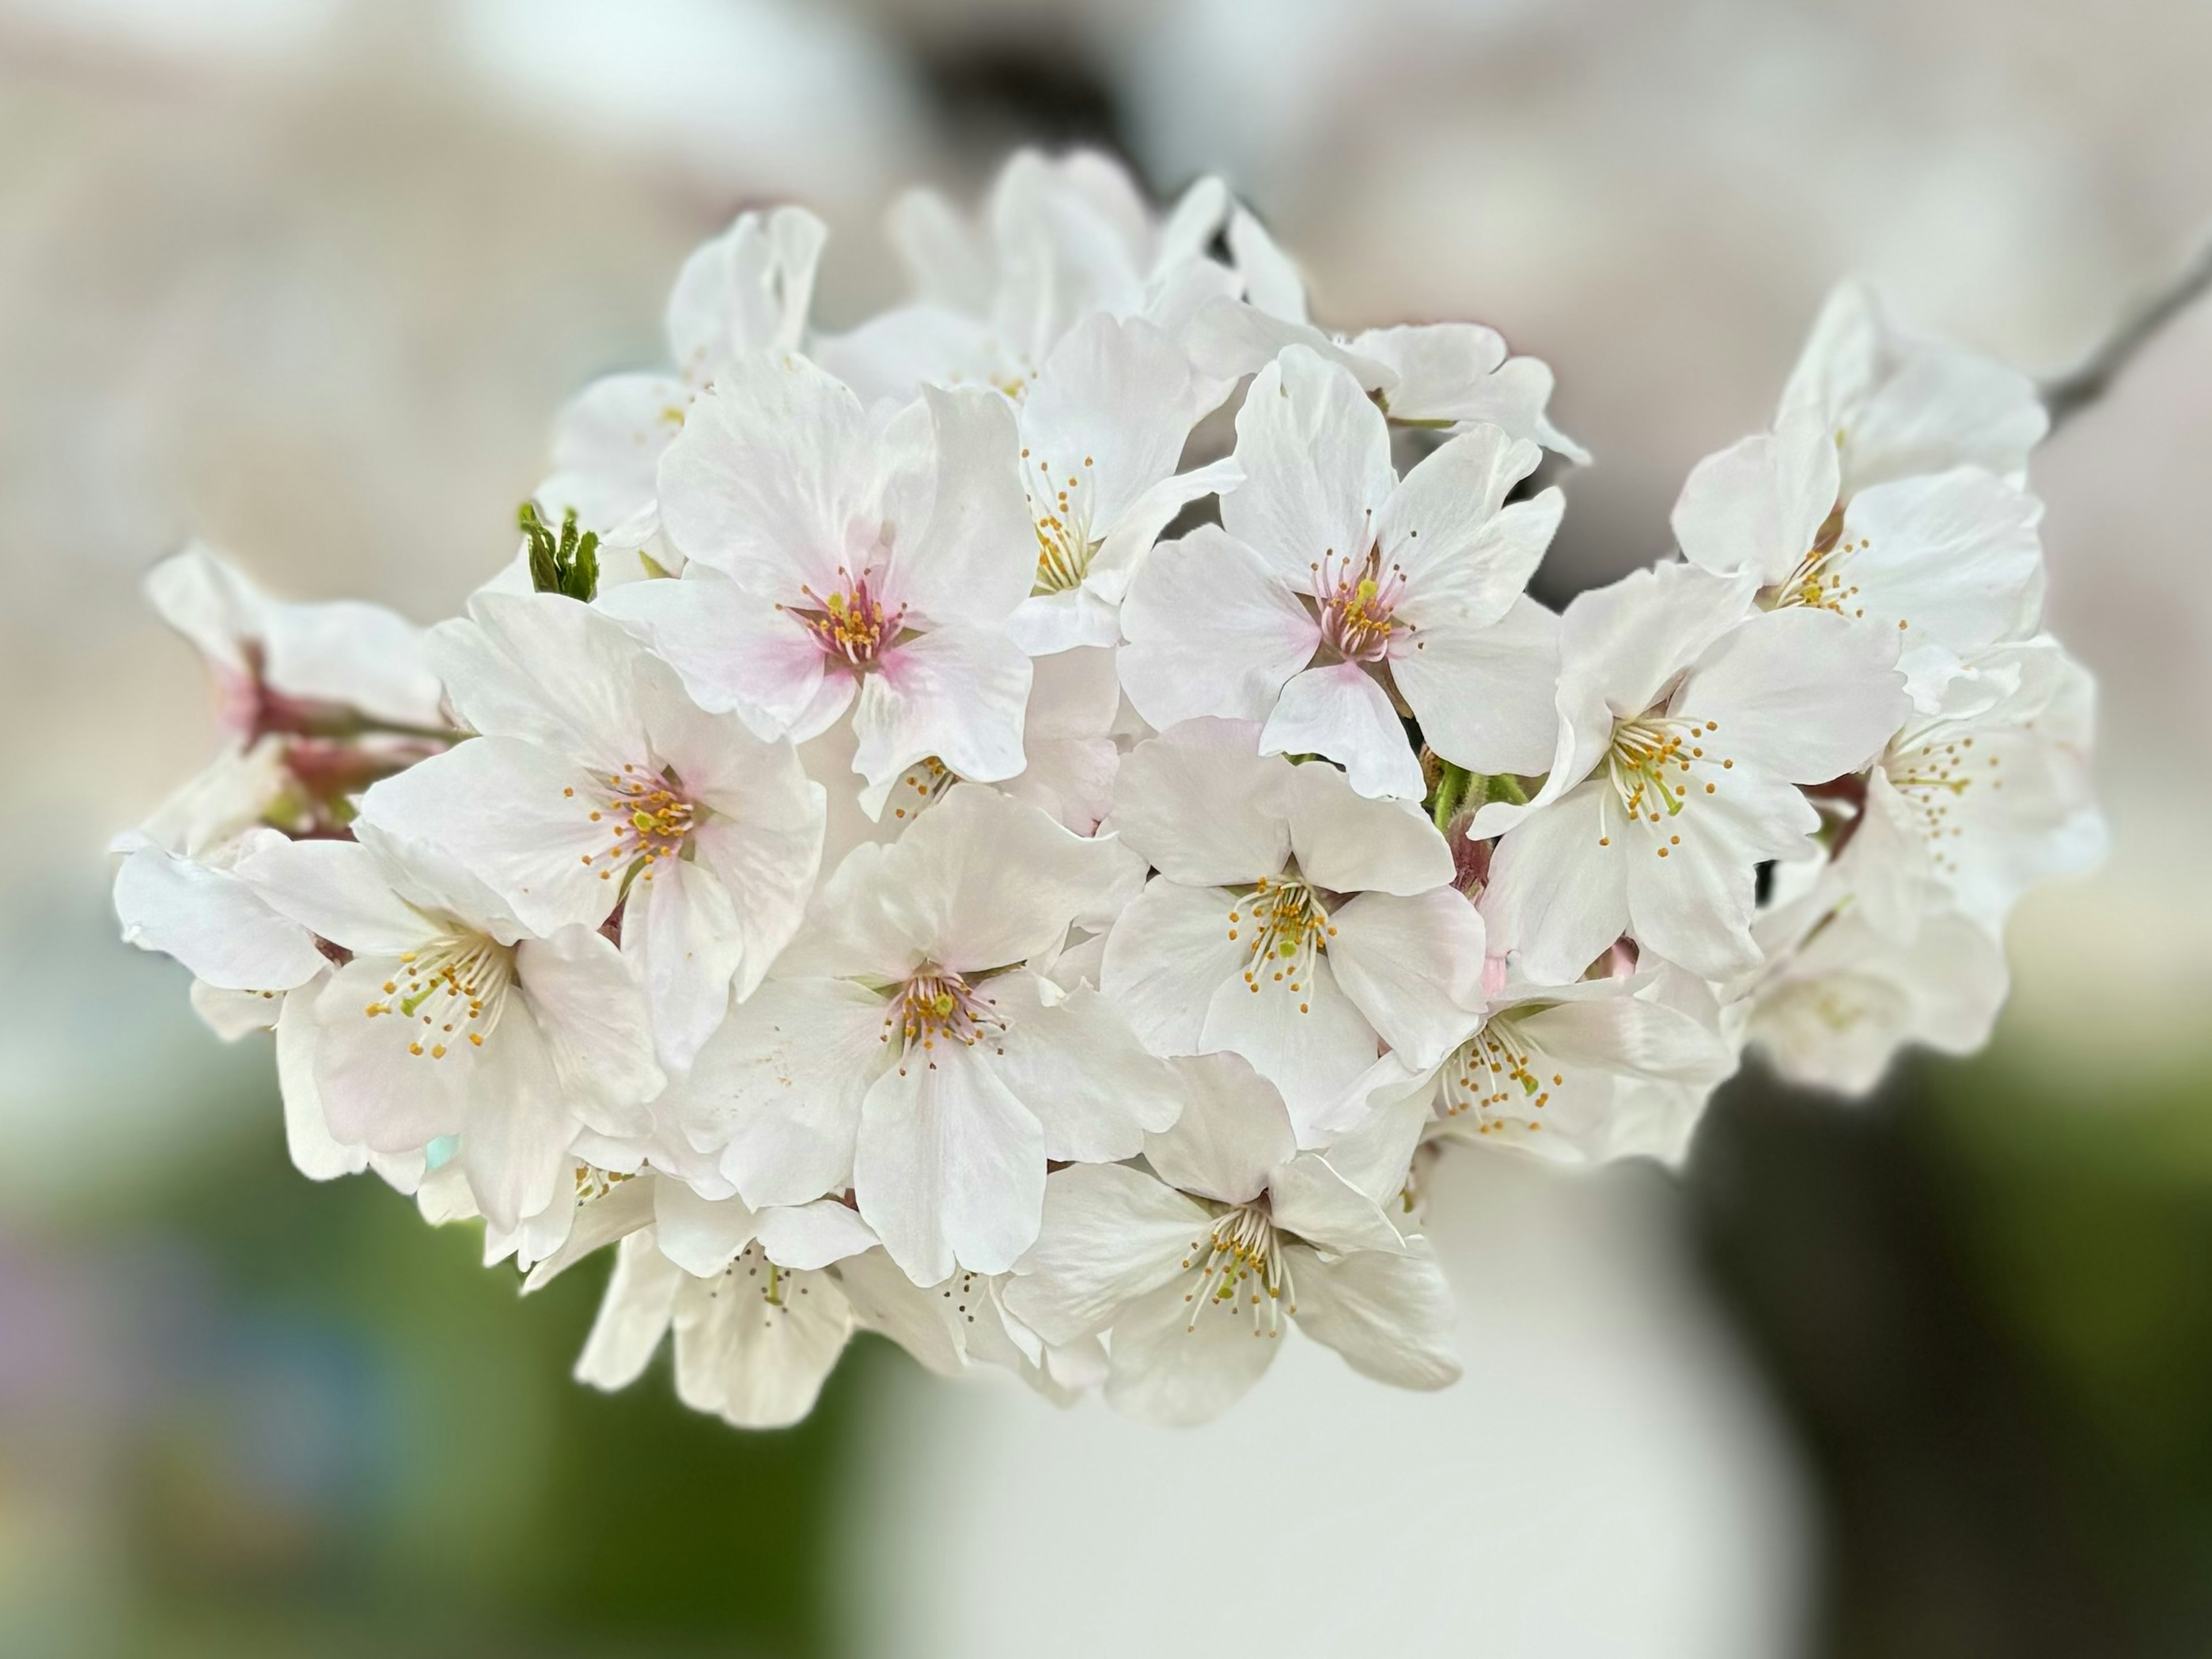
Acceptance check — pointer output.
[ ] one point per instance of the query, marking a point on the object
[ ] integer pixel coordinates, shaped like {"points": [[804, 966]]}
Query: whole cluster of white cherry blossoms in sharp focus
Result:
{"points": [[1032, 824]]}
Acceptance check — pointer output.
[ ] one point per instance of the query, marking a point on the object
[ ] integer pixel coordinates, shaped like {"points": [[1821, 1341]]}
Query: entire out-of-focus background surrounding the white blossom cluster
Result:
{"points": [[309, 278]]}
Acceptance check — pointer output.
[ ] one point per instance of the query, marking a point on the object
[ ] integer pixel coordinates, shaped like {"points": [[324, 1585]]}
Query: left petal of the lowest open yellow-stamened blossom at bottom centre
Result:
{"points": [[1109, 1235]]}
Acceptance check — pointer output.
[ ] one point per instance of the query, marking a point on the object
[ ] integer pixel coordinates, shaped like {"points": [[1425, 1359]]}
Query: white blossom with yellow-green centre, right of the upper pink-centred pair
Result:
{"points": [[1687, 727]]}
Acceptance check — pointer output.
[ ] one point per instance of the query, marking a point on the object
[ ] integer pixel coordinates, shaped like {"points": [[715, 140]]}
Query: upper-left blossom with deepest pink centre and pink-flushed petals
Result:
{"points": [[842, 561]]}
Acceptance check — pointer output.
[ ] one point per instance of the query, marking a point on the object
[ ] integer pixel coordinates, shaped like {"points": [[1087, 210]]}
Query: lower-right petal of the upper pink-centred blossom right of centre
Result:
{"points": [[1485, 696]]}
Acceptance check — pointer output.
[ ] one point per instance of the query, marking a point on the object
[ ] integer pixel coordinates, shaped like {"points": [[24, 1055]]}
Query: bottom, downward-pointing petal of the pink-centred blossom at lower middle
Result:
{"points": [[950, 1167]]}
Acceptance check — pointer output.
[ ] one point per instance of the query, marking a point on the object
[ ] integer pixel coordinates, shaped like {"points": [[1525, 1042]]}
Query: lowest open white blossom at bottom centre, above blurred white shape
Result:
{"points": [[1200, 1266]]}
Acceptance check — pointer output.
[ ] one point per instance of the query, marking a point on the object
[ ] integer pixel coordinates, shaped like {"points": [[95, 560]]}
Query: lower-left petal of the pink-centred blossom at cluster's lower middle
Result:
{"points": [[782, 1085]]}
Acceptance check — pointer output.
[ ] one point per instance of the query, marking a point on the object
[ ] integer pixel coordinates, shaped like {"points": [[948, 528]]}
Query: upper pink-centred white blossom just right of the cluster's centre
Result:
{"points": [[1337, 594]]}
